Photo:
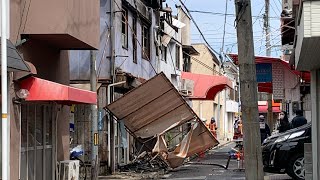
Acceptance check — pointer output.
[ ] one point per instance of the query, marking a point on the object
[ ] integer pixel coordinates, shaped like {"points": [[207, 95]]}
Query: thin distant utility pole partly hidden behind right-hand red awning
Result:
{"points": [[268, 53]]}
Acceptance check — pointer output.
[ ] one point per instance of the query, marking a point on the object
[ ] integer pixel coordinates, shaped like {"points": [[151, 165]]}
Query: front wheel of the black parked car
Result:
{"points": [[295, 168]]}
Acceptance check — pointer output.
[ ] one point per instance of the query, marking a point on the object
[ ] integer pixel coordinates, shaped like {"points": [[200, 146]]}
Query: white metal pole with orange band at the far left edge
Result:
{"points": [[4, 94]]}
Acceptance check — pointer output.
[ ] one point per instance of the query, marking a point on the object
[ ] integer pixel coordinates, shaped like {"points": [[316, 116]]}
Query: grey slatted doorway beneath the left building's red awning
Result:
{"points": [[37, 142]]}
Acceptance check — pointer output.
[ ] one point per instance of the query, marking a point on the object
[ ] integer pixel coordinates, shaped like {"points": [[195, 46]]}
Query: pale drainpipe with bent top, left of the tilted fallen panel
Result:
{"points": [[109, 94]]}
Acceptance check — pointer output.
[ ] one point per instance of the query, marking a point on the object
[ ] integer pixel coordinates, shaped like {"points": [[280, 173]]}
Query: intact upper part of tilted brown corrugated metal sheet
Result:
{"points": [[152, 108]]}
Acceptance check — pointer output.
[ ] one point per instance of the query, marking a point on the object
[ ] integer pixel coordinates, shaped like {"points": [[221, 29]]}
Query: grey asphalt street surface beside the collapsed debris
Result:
{"points": [[208, 168]]}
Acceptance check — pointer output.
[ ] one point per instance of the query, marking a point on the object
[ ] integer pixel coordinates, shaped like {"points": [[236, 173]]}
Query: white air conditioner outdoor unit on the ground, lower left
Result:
{"points": [[69, 170]]}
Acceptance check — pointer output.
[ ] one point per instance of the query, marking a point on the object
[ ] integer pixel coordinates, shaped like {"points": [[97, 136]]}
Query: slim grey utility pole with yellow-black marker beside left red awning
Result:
{"points": [[94, 119]]}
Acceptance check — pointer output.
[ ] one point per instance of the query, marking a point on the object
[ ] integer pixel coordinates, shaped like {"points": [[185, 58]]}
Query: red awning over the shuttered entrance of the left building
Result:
{"points": [[44, 90]]}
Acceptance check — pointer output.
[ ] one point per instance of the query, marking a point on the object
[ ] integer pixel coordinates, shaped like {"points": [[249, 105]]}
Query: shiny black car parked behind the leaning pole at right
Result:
{"points": [[284, 152]]}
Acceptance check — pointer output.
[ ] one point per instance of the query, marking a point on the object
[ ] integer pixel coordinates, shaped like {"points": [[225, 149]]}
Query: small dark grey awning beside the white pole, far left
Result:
{"points": [[14, 60]]}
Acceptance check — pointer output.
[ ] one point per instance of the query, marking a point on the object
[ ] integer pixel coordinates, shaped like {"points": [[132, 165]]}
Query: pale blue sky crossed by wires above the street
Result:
{"points": [[212, 25]]}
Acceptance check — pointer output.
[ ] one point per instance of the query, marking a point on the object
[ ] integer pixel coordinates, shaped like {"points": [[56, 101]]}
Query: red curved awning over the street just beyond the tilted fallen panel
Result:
{"points": [[206, 86]]}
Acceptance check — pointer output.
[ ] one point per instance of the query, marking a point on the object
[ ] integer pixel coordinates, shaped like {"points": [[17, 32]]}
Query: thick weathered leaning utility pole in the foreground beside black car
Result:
{"points": [[248, 90]]}
